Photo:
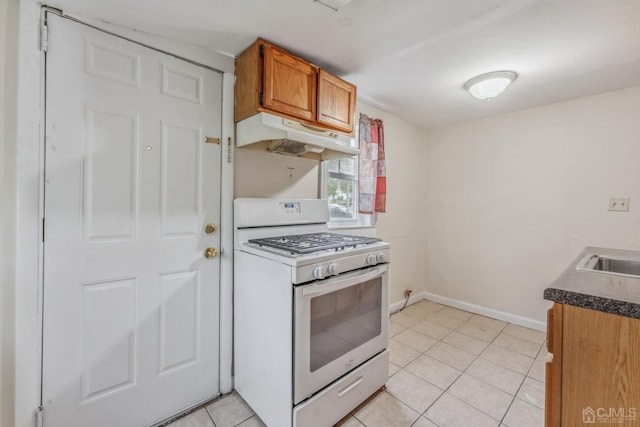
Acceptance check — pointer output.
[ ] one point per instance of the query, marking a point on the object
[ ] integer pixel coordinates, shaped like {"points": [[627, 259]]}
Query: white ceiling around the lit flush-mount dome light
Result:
{"points": [[411, 57]]}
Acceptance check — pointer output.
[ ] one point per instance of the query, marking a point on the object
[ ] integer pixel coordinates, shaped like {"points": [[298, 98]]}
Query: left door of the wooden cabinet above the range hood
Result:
{"points": [[289, 84]]}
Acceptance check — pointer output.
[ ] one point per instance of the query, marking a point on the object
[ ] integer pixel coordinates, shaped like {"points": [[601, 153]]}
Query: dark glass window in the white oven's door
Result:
{"points": [[343, 320]]}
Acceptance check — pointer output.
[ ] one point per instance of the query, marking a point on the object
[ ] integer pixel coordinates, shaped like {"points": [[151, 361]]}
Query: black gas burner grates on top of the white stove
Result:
{"points": [[313, 242]]}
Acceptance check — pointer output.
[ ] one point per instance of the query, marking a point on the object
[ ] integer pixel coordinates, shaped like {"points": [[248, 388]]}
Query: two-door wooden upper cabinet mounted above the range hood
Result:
{"points": [[272, 80]]}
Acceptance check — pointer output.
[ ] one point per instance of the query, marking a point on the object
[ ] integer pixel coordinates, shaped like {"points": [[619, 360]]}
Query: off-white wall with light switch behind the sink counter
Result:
{"points": [[512, 199]]}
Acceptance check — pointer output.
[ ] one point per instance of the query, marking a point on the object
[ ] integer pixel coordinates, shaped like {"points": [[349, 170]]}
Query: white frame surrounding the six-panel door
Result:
{"points": [[26, 368]]}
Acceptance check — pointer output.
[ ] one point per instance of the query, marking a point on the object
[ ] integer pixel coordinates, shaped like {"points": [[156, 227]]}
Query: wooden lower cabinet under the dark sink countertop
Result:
{"points": [[593, 370]]}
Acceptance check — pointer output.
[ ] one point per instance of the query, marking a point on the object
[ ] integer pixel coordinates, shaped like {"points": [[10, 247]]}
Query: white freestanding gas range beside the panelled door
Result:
{"points": [[310, 313]]}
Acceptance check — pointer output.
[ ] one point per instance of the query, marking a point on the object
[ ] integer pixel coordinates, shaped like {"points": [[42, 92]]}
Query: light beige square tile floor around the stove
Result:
{"points": [[449, 368]]}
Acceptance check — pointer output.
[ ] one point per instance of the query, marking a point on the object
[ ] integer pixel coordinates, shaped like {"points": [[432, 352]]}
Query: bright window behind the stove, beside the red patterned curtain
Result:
{"points": [[341, 190]]}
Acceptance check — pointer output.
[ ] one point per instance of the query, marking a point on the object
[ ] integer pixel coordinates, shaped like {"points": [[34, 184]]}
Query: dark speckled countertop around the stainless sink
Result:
{"points": [[604, 292]]}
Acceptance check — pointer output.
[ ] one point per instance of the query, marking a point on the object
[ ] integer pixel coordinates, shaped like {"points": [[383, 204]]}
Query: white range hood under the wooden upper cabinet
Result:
{"points": [[264, 131]]}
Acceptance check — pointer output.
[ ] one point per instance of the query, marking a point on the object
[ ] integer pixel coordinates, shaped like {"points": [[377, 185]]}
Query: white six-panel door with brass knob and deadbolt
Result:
{"points": [[131, 304]]}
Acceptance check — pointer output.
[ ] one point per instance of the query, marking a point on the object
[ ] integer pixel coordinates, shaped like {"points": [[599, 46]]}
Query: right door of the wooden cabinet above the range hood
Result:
{"points": [[336, 102]]}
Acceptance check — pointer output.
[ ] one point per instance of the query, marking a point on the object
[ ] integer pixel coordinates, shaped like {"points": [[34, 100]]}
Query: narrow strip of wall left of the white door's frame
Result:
{"points": [[8, 78]]}
